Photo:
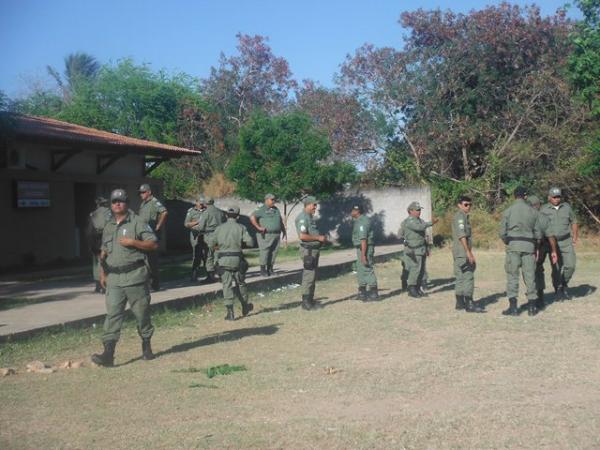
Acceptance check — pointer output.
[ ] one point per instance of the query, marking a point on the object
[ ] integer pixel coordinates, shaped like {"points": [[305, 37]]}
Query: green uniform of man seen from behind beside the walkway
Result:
{"points": [[229, 237]]}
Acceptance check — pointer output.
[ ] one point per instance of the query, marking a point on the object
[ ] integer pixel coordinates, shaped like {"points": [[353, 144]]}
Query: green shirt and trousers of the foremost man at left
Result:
{"points": [[127, 276]]}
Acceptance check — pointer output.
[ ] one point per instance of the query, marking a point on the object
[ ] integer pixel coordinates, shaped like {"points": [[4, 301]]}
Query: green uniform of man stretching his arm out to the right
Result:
{"points": [[415, 248]]}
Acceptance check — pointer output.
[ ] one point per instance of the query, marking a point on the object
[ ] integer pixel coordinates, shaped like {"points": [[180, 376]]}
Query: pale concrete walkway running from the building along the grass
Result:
{"points": [[72, 302]]}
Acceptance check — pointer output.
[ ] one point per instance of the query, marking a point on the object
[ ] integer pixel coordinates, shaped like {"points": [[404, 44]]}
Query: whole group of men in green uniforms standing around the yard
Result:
{"points": [[530, 231]]}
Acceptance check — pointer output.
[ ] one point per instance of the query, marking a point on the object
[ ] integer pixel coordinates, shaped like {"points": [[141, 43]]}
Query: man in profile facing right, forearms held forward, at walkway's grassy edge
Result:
{"points": [[310, 244]]}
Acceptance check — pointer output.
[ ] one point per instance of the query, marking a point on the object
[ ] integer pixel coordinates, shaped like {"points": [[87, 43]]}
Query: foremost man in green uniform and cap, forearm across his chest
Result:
{"points": [[126, 241]]}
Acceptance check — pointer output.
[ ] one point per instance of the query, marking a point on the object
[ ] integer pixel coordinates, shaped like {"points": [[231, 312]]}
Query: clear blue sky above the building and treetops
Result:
{"points": [[188, 36]]}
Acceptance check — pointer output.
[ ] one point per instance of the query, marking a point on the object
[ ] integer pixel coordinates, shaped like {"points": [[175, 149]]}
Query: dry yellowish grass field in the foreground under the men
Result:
{"points": [[399, 373]]}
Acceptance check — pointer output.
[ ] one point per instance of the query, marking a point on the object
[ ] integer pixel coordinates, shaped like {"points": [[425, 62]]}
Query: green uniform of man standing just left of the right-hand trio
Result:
{"points": [[463, 271]]}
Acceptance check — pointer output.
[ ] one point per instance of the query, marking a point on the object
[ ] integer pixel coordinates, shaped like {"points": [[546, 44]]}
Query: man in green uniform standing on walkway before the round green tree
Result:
{"points": [[269, 224]]}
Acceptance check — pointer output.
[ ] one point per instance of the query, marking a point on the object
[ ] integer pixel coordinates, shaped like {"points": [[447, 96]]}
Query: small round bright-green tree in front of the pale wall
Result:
{"points": [[286, 155]]}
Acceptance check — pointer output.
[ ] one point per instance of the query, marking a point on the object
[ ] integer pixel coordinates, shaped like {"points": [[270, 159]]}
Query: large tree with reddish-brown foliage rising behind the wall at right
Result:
{"points": [[453, 91]]}
